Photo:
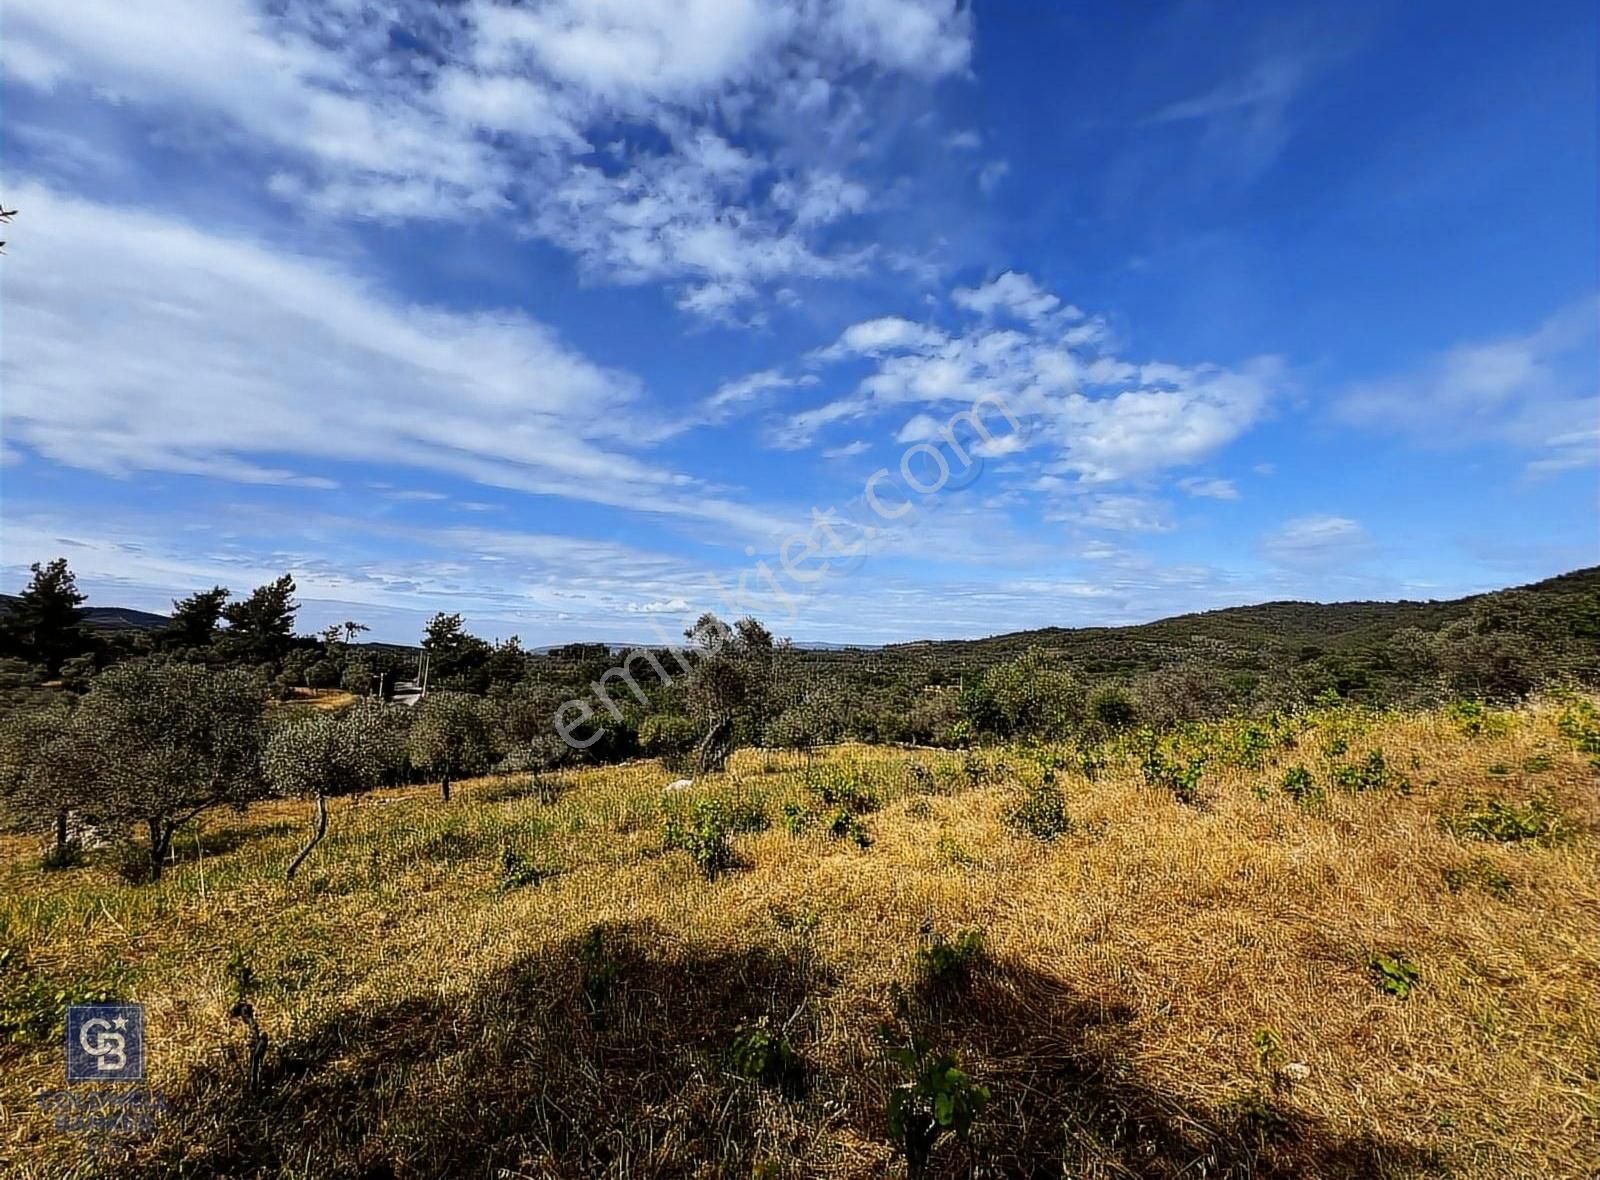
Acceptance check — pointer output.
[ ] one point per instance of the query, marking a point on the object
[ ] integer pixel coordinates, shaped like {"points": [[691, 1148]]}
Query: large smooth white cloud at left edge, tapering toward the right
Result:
{"points": [[138, 343]]}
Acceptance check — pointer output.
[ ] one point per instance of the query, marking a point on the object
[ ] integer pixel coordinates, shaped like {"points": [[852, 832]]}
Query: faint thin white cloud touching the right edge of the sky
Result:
{"points": [[1538, 394]]}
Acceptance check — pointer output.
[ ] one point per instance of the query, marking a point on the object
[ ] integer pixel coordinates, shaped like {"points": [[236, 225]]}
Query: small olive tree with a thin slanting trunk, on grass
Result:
{"points": [[327, 755]]}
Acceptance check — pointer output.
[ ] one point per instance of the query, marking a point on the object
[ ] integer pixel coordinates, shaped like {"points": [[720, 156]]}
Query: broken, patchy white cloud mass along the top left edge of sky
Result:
{"points": [[601, 124]]}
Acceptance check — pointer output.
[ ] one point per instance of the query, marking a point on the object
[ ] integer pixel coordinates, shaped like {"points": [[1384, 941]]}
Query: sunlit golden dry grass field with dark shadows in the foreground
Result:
{"points": [[1199, 978]]}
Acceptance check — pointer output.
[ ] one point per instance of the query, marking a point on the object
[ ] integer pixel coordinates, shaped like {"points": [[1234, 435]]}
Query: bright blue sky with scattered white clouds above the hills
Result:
{"points": [[575, 317]]}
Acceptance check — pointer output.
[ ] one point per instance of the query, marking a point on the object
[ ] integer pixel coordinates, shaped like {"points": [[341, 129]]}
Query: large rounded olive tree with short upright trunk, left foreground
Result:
{"points": [[164, 743]]}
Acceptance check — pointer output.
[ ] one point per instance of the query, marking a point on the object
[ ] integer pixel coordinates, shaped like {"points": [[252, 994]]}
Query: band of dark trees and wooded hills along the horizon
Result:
{"points": [[1054, 682]]}
